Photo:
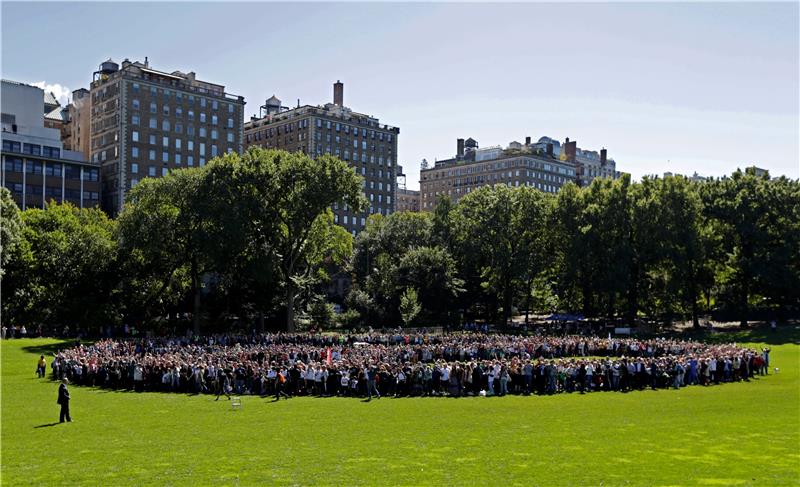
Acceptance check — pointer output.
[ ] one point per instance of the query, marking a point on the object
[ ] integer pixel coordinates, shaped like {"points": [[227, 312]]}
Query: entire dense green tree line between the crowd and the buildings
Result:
{"points": [[250, 240]]}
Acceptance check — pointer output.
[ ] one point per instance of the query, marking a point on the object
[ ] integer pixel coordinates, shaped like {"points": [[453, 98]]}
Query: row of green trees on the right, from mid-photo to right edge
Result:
{"points": [[664, 249]]}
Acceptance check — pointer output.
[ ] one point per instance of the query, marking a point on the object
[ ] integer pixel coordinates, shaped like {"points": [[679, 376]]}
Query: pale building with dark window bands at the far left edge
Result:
{"points": [[36, 168]]}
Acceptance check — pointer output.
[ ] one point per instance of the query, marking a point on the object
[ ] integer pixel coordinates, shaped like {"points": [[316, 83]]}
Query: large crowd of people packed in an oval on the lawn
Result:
{"points": [[375, 365]]}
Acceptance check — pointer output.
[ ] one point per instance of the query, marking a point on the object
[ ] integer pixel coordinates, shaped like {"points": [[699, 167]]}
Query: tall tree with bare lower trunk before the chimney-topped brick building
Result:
{"points": [[289, 218]]}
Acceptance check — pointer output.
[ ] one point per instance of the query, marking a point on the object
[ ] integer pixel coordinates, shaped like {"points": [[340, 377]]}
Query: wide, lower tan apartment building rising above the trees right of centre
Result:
{"points": [[514, 166]]}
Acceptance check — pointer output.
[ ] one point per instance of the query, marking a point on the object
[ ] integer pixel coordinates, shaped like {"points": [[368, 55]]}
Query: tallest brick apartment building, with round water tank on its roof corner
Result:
{"points": [[145, 122]]}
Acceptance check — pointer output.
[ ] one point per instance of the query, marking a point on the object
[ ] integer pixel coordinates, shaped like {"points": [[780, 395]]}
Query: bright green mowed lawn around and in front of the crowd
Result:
{"points": [[729, 435]]}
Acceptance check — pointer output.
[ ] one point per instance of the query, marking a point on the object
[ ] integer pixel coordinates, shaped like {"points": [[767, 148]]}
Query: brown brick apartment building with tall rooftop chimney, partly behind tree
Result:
{"points": [[360, 140]]}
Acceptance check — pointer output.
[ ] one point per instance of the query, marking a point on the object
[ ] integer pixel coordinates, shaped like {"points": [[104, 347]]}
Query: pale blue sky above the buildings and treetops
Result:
{"points": [[664, 87]]}
